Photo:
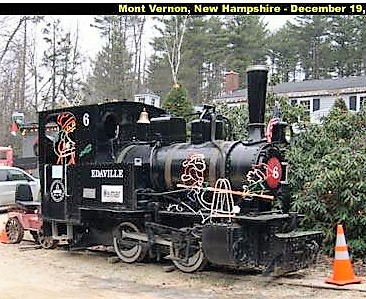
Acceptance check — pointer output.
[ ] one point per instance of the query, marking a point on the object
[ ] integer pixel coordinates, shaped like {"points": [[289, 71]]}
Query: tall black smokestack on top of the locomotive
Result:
{"points": [[257, 89]]}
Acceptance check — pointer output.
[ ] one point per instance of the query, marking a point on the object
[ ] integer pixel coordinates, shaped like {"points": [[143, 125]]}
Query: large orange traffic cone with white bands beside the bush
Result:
{"points": [[342, 267]]}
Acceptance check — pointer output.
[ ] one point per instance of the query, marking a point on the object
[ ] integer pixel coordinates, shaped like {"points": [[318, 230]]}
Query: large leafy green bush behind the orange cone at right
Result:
{"points": [[328, 177]]}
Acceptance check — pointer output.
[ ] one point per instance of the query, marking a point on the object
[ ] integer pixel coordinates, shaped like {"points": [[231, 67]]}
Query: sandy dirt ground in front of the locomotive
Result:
{"points": [[94, 274]]}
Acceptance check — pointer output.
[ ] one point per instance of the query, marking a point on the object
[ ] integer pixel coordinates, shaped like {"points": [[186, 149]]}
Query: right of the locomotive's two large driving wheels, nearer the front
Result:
{"points": [[196, 260]]}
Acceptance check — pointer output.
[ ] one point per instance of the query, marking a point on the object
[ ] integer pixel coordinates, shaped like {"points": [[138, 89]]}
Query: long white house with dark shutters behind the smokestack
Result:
{"points": [[318, 96]]}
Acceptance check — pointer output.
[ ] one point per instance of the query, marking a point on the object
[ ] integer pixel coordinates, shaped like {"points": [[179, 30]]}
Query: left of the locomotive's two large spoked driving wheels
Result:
{"points": [[129, 250]]}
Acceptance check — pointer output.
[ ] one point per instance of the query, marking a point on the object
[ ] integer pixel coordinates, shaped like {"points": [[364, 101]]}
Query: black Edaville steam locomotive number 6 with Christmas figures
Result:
{"points": [[123, 174]]}
